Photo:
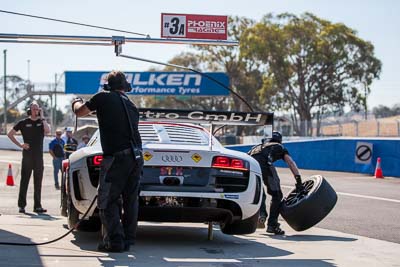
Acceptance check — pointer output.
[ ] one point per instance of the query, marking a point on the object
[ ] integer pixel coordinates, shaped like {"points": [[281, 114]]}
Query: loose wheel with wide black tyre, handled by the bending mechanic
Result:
{"points": [[307, 208]]}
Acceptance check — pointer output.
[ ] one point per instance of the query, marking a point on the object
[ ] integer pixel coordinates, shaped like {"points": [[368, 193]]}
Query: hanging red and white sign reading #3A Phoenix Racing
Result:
{"points": [[194, 26]]}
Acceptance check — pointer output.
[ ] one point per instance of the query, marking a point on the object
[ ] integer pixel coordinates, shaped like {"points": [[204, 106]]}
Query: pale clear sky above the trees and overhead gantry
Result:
{"points": [[377, 21]]}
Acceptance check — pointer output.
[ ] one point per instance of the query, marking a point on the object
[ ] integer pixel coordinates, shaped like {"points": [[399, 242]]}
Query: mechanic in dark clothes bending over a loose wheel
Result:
{"points": [[266, 154]]}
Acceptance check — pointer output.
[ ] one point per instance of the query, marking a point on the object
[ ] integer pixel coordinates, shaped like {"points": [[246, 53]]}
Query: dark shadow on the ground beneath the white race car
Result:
{"points": [[159, 245]]}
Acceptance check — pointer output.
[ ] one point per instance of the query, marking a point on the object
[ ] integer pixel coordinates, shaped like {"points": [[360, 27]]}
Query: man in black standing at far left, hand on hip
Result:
{"points": [[33, 130]]}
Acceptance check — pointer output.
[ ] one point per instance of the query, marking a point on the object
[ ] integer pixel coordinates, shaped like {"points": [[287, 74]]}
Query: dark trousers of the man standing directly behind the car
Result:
{"points": [[119, 175]]}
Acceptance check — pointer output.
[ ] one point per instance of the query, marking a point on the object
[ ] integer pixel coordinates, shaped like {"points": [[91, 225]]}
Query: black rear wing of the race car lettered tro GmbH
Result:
{"points": [[207, 117]]}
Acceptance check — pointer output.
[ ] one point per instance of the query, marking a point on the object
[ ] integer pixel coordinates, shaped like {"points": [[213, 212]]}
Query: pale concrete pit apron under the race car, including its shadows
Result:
{"points": [[166, 244]]}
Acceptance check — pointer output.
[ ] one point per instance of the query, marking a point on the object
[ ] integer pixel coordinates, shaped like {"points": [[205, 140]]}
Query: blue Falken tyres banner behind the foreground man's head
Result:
{"points": [[150, 83]]}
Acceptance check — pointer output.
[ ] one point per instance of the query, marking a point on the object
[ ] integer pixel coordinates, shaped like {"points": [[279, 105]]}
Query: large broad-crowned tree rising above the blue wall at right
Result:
{"points": [[312, 66]]}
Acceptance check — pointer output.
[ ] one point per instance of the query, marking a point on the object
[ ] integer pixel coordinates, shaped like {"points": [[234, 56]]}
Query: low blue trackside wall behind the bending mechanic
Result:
{"points": [[339, 155]]}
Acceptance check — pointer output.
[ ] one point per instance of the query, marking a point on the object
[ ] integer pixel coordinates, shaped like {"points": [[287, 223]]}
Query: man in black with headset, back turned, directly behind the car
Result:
{"points": [[121, 167]]}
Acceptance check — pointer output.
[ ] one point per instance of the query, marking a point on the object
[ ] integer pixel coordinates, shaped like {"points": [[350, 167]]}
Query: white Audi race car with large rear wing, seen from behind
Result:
{"points": [[188, 176]]}
